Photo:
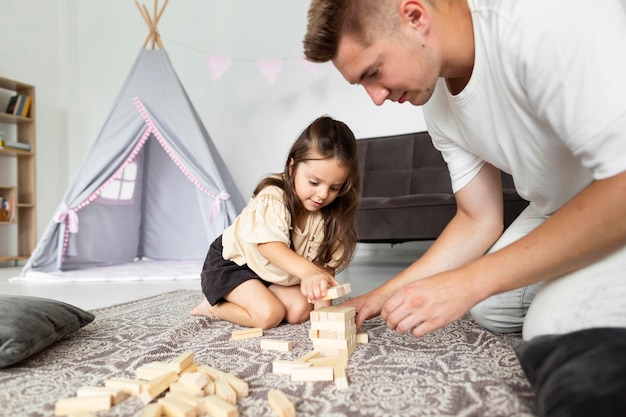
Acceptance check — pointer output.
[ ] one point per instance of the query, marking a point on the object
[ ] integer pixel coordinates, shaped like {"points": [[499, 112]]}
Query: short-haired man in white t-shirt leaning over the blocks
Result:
{"points": [[530, 87]]}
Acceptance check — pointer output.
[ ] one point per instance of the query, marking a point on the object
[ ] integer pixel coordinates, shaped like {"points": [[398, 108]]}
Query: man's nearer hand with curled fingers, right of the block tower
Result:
{"points": [[428, 304]]}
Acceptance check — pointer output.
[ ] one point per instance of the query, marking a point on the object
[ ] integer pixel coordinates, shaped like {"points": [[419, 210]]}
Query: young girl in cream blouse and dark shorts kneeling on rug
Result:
{"points": [[296, 231]]}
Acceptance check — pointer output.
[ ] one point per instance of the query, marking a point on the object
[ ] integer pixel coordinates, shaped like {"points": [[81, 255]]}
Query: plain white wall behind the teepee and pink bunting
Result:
{"points": [[78, 53]]}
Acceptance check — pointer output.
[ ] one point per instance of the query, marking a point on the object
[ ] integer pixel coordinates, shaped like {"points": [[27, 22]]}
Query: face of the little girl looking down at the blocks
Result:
{"points": [[318, 181]]}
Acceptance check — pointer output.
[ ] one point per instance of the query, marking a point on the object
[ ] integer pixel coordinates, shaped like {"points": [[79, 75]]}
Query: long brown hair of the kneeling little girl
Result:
{"points": [[330, 139]]}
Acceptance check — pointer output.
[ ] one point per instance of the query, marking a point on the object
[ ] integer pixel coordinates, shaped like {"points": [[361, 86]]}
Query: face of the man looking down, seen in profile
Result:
{"points": [[398, 68]]}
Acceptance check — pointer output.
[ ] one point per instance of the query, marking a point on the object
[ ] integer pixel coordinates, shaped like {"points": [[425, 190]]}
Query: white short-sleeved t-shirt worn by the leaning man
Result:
{"points": [[546, 101]]}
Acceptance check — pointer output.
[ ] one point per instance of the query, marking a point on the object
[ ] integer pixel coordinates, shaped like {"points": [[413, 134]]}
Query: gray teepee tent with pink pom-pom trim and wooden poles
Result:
{"points": [[153, 185]]}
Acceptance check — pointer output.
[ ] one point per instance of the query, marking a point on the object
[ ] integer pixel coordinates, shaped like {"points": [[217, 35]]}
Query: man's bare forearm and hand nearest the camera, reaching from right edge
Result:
{"points": [[589, 227]]}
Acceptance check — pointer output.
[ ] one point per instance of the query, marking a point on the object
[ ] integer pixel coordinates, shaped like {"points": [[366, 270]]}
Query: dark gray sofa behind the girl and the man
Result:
{"points": [[406, 194]]}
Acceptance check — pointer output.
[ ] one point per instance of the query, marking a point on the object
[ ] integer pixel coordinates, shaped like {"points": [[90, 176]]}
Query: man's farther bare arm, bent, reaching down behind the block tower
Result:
{"points": [[476, 226]]}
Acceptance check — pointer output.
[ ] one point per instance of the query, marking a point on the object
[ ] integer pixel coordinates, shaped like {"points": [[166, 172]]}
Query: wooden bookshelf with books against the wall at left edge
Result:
{"points": [[19, 187]]}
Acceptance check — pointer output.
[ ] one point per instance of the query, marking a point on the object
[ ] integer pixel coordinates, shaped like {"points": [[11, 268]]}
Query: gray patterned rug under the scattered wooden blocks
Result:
{"points": [[460, 370]]}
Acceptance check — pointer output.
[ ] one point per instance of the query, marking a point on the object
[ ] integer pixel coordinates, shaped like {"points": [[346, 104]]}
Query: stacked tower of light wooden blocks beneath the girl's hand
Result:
{"points": [[333, 330]]}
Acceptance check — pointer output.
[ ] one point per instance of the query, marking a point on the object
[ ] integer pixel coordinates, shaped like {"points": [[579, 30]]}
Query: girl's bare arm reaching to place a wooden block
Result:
{"points": [[314, 280]]}
